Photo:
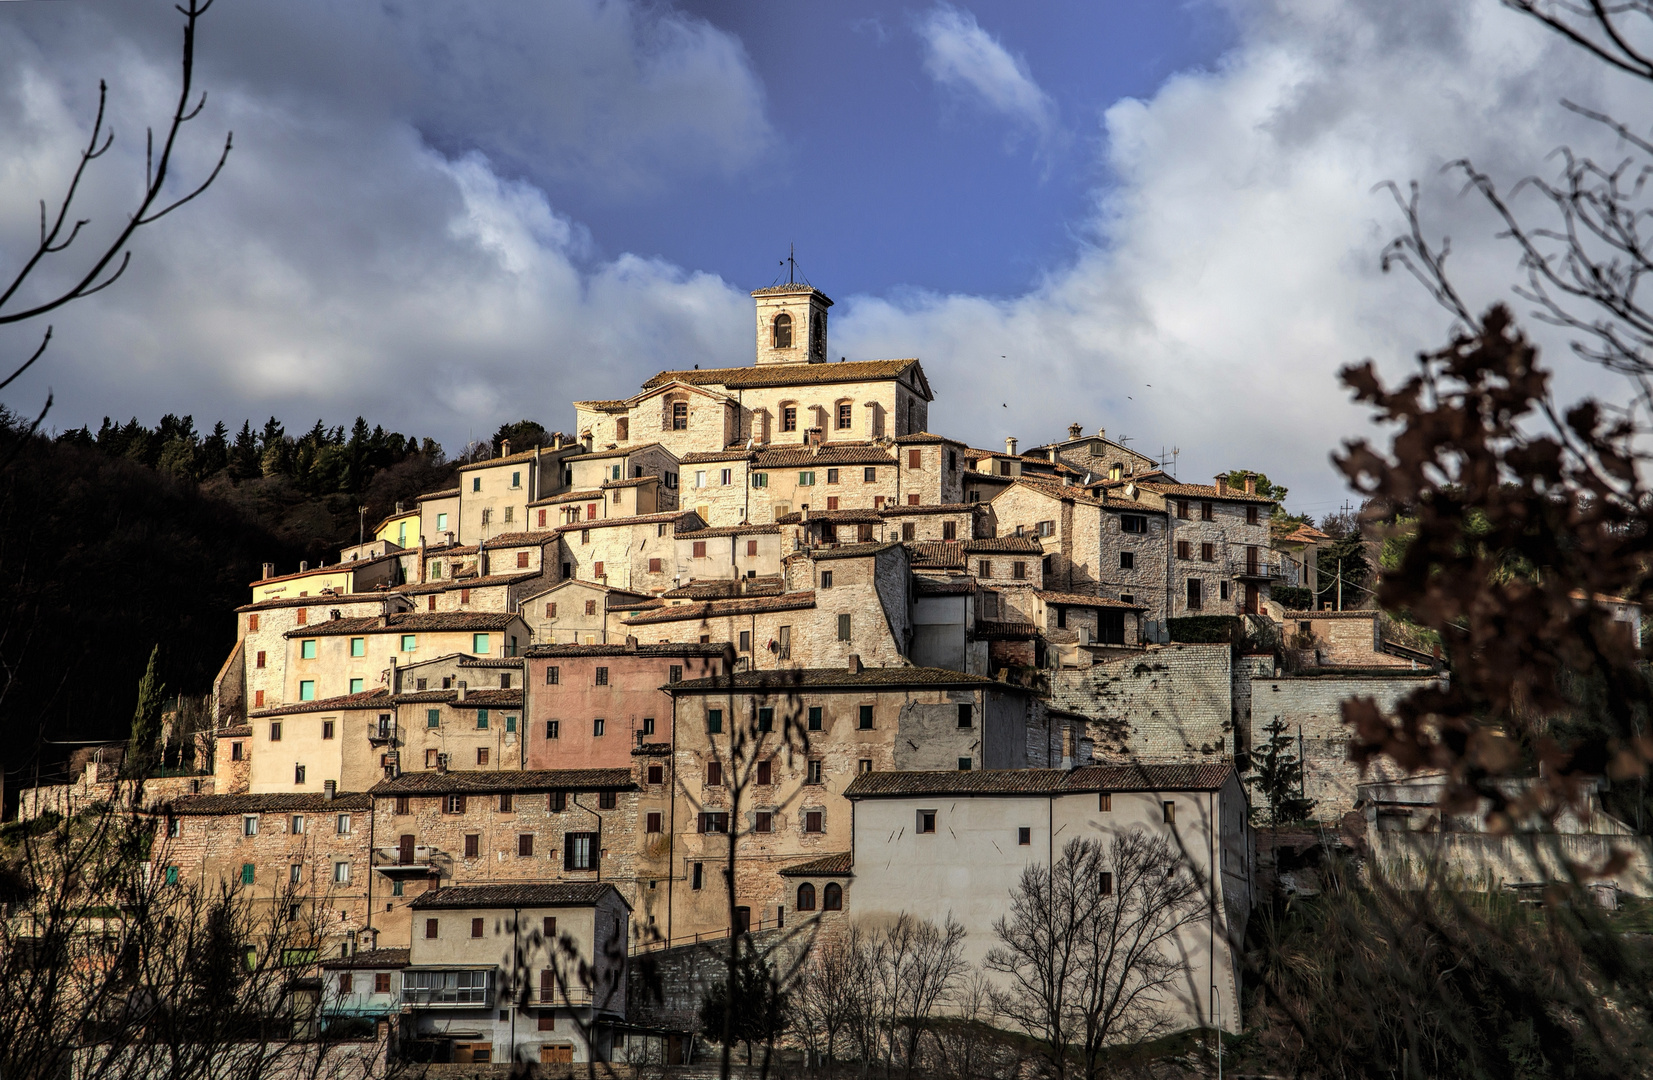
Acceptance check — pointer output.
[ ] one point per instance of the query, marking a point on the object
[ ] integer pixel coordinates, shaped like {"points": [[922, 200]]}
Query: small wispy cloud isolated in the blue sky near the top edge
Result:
{"points": [[969, 62]]}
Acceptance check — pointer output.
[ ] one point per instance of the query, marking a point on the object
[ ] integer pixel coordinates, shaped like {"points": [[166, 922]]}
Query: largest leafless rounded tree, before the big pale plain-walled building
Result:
{"points": [[1090, 947]]}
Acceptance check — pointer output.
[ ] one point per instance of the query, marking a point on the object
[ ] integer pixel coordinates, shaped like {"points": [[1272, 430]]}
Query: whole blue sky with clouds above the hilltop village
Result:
{"points": [[1158, 219]]}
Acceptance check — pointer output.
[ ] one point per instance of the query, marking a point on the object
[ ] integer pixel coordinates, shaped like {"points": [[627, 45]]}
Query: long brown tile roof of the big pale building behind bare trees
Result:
{"points": [[1150, 778]]}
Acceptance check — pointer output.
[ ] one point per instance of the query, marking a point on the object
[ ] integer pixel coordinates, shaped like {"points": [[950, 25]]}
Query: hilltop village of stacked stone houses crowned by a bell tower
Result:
{"points": [[760, 606]]}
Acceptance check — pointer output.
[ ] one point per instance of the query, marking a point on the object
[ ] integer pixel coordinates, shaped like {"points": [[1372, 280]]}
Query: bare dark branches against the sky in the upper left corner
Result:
{"points": [[103, 265]]}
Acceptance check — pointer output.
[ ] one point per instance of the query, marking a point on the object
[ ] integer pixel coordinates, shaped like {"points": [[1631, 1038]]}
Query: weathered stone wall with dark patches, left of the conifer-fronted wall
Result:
{"points": [[1173, 702]]}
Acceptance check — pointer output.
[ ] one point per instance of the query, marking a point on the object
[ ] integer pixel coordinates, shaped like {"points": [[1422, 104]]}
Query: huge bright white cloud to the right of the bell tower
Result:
{"points": [[1234, 267]]}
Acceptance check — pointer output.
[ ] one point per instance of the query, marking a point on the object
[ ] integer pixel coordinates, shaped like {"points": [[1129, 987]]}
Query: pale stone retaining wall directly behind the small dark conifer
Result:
{"points": [[1313, 707]]}
